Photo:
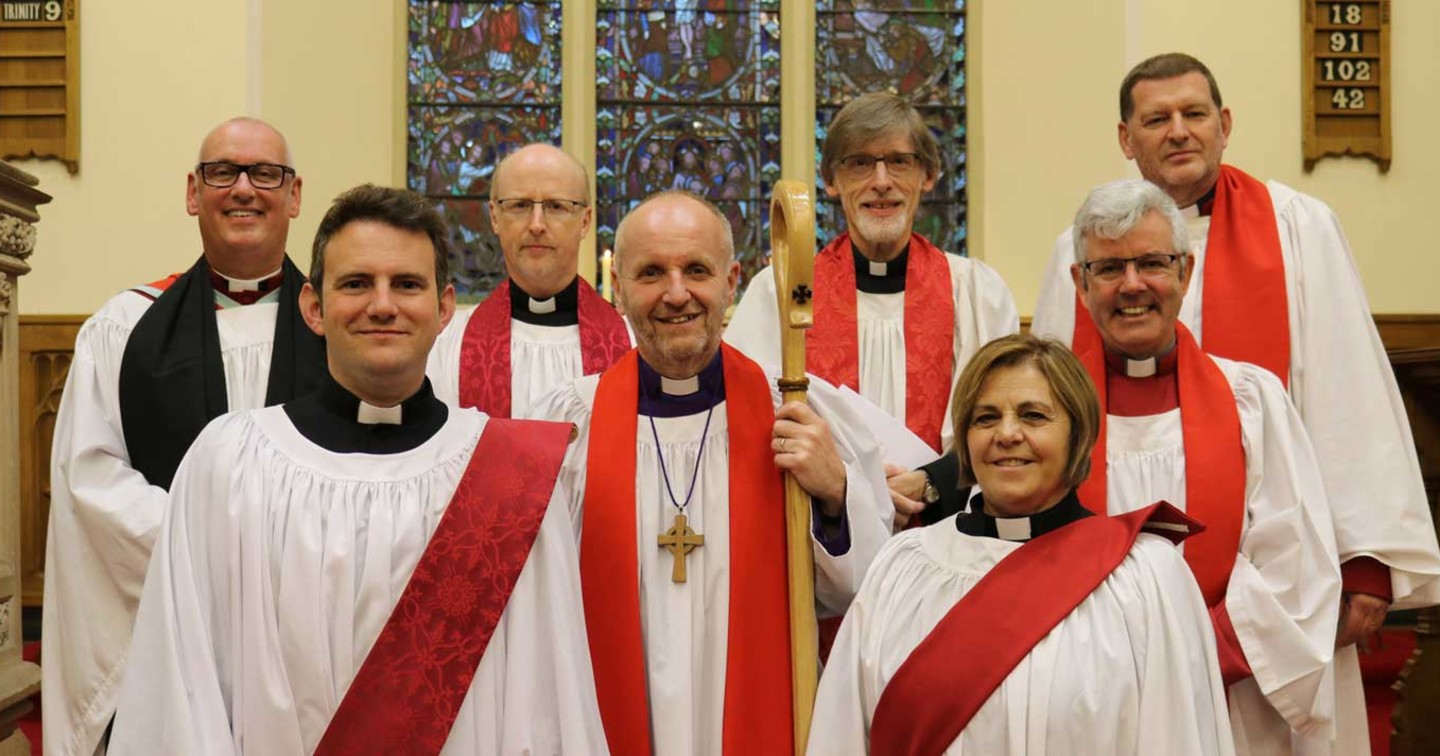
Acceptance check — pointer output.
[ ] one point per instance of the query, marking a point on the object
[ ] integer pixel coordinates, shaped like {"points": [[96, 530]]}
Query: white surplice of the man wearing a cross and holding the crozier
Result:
{"points": [[685, 626]]}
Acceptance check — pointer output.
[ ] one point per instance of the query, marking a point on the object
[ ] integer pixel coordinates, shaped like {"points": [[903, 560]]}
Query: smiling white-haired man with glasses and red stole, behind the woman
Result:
{"points": [[1222, 441]]}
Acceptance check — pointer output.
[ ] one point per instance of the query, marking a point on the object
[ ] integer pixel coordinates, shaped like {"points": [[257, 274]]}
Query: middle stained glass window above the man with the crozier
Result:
{"points": [[689, 97]]}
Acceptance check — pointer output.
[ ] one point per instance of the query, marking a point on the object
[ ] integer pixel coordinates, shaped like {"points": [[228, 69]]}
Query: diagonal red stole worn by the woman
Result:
{"points": [[978, 643]]}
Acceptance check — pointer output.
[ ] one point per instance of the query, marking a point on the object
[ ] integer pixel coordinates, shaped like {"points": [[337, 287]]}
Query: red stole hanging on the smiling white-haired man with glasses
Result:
{"points": [[1215, 462]]}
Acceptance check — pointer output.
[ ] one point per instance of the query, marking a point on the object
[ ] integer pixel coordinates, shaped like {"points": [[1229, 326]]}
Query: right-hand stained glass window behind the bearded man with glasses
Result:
{"points": [[915, 50]]}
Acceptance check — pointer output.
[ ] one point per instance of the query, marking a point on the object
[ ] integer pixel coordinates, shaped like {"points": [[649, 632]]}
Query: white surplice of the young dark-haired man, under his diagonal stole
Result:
{"points": [[280, 564]]}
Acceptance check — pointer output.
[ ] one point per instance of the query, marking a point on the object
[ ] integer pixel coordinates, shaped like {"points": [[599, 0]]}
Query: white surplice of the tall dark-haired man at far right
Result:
{"points": [[1346, 391]]}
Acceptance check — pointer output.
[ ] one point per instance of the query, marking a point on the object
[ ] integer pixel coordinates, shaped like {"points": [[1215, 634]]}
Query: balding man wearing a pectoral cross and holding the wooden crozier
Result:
{"points": [[685, 436]]}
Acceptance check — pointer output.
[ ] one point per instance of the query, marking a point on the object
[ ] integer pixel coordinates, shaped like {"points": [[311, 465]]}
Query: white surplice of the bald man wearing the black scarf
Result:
{"points": [[104, 516]]}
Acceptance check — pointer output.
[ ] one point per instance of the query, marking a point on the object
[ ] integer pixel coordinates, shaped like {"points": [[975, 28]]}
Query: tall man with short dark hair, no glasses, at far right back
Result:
{"points": [[1278, 287]]}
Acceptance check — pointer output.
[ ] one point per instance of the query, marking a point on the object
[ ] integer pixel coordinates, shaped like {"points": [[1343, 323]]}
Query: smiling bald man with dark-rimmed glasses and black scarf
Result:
{"points": [[152, 368]]}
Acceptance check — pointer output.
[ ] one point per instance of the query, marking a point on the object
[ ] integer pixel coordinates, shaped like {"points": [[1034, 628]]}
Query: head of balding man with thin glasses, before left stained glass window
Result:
{"points": [[541, 210]]}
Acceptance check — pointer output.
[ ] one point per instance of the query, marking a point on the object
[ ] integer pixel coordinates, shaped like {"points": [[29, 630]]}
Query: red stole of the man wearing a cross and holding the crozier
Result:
{"points": [[758, 666]]}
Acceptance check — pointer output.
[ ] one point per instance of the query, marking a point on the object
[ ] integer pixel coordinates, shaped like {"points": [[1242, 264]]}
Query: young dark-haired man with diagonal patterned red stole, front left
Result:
{"points": [[294, 531]]}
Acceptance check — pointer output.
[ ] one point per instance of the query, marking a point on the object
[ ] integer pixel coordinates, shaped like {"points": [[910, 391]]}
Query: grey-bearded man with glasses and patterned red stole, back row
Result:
{"points": [[896, 319]]}
